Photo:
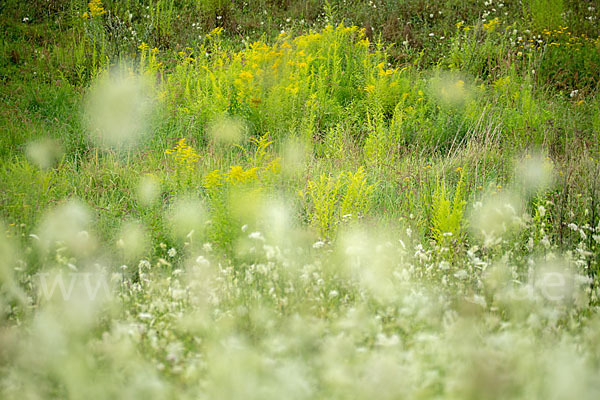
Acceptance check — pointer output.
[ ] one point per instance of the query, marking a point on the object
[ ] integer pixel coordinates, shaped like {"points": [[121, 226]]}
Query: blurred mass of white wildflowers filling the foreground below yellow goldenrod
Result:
{"points": [[306, 318]]}
